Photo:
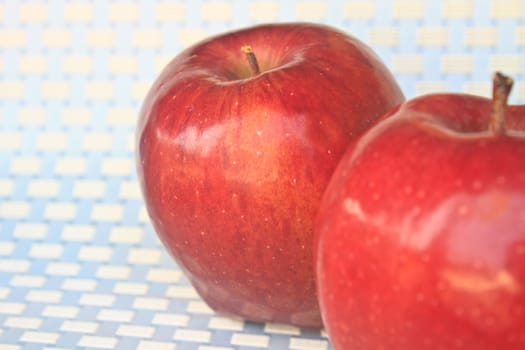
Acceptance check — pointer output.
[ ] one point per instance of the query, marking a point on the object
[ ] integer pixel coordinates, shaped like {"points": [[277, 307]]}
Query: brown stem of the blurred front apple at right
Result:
{"points": [[502, 85]]}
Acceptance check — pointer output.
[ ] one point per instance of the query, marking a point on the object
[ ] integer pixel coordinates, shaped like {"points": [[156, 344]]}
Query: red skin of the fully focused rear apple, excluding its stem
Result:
{"points": [[233, 164]]}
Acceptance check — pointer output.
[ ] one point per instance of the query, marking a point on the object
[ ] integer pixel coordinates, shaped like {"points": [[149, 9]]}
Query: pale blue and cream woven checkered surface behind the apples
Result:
{"points": [[80, 266]]}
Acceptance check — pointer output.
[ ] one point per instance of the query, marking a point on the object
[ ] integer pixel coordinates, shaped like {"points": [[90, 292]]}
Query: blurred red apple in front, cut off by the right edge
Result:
{"points": [[420, 238]]}
